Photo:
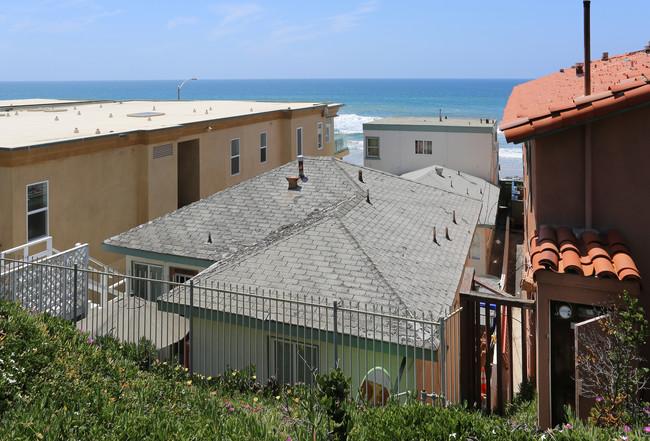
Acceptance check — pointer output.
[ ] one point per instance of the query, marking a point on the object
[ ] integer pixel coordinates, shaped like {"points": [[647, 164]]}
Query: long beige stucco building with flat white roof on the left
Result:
{"points": [[83, 171]]}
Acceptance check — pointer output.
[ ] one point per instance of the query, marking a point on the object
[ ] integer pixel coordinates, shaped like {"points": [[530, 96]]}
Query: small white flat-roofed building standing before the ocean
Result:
{"points": [[400, 145]]}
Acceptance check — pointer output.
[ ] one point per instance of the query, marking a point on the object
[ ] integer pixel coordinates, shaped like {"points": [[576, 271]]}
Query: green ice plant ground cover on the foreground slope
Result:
{"points": [[57, 383]]}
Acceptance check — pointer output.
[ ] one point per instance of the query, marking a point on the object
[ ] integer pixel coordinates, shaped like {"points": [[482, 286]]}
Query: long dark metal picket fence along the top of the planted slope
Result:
{"points": [[288, 337]]}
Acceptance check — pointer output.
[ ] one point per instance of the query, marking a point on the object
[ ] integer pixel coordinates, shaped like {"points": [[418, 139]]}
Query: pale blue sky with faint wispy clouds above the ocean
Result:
{"points": [[146, 40]]}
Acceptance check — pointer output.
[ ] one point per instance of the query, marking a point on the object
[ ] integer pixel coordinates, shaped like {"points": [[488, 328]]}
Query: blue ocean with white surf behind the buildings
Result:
{"points": [[365, 100]]}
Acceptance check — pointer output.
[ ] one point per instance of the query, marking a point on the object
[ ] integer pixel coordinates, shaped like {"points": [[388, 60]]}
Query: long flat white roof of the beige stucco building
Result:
{"points": [[34, 122]]}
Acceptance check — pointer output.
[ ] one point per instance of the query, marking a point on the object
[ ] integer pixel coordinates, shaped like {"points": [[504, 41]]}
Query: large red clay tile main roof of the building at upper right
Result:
{"points": [[558, 100]]}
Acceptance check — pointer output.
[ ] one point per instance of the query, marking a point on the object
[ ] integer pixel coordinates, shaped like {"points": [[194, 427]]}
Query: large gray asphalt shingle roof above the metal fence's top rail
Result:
{"points": [[325, 239]]}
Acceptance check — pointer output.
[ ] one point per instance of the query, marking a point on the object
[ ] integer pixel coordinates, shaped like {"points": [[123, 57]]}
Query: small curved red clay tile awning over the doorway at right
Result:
{"points": [[591, 255]]}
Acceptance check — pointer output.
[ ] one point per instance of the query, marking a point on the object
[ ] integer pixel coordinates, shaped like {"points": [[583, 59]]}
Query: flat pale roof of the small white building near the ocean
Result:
{"points": [[429, 123]]}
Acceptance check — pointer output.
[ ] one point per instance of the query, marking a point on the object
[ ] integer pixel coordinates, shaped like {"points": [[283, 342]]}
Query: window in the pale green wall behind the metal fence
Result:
{"points": [[293, 361]]}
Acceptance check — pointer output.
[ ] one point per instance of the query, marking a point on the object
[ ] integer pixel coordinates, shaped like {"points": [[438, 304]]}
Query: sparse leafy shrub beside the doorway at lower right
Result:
{"points": [[611, 366]]}
